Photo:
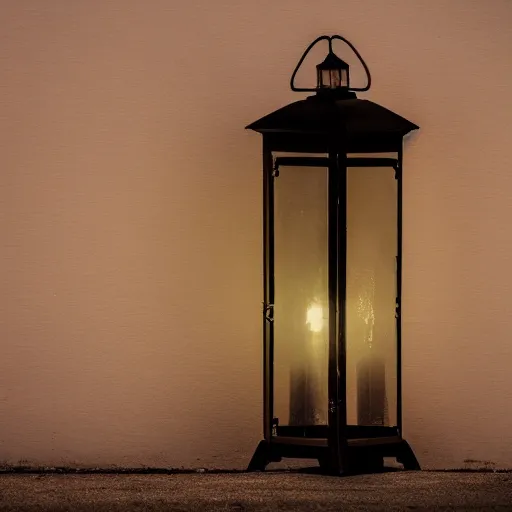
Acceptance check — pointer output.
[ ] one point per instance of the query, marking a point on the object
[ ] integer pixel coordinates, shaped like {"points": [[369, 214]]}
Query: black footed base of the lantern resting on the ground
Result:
{"points": [[361, 455]]}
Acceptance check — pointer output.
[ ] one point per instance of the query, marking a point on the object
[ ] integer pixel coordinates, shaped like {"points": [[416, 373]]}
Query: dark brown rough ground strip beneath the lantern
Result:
{"points": [[269, 491]]}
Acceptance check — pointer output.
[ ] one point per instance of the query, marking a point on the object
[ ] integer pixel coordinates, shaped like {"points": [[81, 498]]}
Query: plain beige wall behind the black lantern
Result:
{"points": [[130, 214]]}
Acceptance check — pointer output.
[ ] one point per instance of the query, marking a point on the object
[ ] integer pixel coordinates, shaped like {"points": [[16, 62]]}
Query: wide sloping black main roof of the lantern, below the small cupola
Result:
{"points": [[328, 114]]}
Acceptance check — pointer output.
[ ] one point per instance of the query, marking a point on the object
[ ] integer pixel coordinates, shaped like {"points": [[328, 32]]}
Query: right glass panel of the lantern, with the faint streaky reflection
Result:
{"points": [[371, 333]]}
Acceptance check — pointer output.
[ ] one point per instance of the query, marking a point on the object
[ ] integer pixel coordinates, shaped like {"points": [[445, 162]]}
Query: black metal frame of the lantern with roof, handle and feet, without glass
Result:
{"points": [[330, 126]]}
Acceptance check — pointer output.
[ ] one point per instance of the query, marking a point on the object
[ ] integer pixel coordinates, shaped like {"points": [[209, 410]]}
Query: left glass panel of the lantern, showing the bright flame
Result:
{"points": [[301, 347]]}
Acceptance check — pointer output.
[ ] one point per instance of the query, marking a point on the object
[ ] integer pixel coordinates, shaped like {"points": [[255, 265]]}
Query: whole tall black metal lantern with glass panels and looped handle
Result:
{"points": [[332, 167]]}
